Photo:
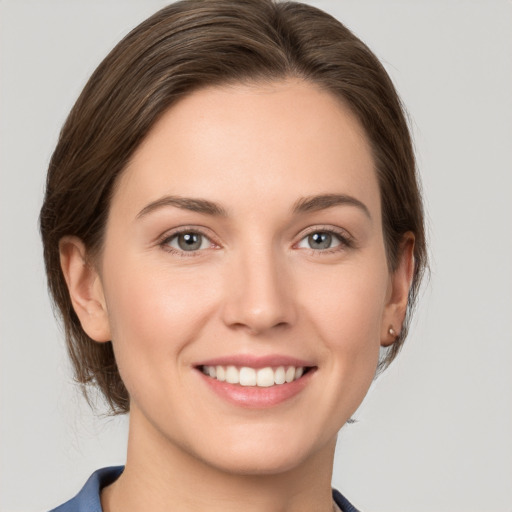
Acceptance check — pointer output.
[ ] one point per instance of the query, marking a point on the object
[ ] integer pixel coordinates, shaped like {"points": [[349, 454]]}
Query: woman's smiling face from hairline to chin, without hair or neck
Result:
{"points": [[244, 277]]}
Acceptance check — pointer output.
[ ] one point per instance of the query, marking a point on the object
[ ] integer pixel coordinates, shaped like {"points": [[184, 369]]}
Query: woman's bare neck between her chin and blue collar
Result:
{"points": [[159, 474]]}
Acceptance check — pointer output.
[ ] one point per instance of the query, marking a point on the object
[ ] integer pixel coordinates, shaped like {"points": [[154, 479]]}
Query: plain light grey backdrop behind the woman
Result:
{"points": [[435, 432]]}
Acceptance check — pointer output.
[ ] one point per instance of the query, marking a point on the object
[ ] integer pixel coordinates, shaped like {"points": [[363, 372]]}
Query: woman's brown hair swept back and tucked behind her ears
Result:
{"points": [[193, 44]]}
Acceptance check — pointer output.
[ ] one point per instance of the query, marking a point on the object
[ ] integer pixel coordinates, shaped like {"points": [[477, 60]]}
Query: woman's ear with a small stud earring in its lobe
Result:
{"points": [[398, 292]]}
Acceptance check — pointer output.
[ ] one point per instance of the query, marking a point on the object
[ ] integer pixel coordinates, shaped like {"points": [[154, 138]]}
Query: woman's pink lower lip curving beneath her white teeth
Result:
{"points": [[255, 397]]}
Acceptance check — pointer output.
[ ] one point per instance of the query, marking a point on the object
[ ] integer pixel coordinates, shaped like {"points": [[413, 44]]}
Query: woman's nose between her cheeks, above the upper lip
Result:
{"points": [[258, 293]]}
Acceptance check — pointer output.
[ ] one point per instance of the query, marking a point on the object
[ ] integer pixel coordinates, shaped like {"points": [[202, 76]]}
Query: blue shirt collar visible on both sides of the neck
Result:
{"points": [[88, 499]]}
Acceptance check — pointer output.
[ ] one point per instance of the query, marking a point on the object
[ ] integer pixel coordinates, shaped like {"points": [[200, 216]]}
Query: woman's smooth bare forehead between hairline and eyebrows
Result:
{"points": [[277, 141]]}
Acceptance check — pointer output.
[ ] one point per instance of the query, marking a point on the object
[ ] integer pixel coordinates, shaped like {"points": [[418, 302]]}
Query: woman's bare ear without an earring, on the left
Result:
{"points": [[85, 288]]}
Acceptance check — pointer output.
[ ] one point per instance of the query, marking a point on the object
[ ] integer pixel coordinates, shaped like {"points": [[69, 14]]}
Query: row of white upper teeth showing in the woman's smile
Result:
{"points": [[263, 377]]}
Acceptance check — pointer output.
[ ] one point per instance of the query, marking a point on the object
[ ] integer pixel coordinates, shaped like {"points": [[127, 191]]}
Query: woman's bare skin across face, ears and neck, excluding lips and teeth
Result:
{"points": [[254, 287]]}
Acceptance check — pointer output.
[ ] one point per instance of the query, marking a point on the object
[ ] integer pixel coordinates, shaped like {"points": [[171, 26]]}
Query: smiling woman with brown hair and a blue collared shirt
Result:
{"points": [[232, 231]]}
